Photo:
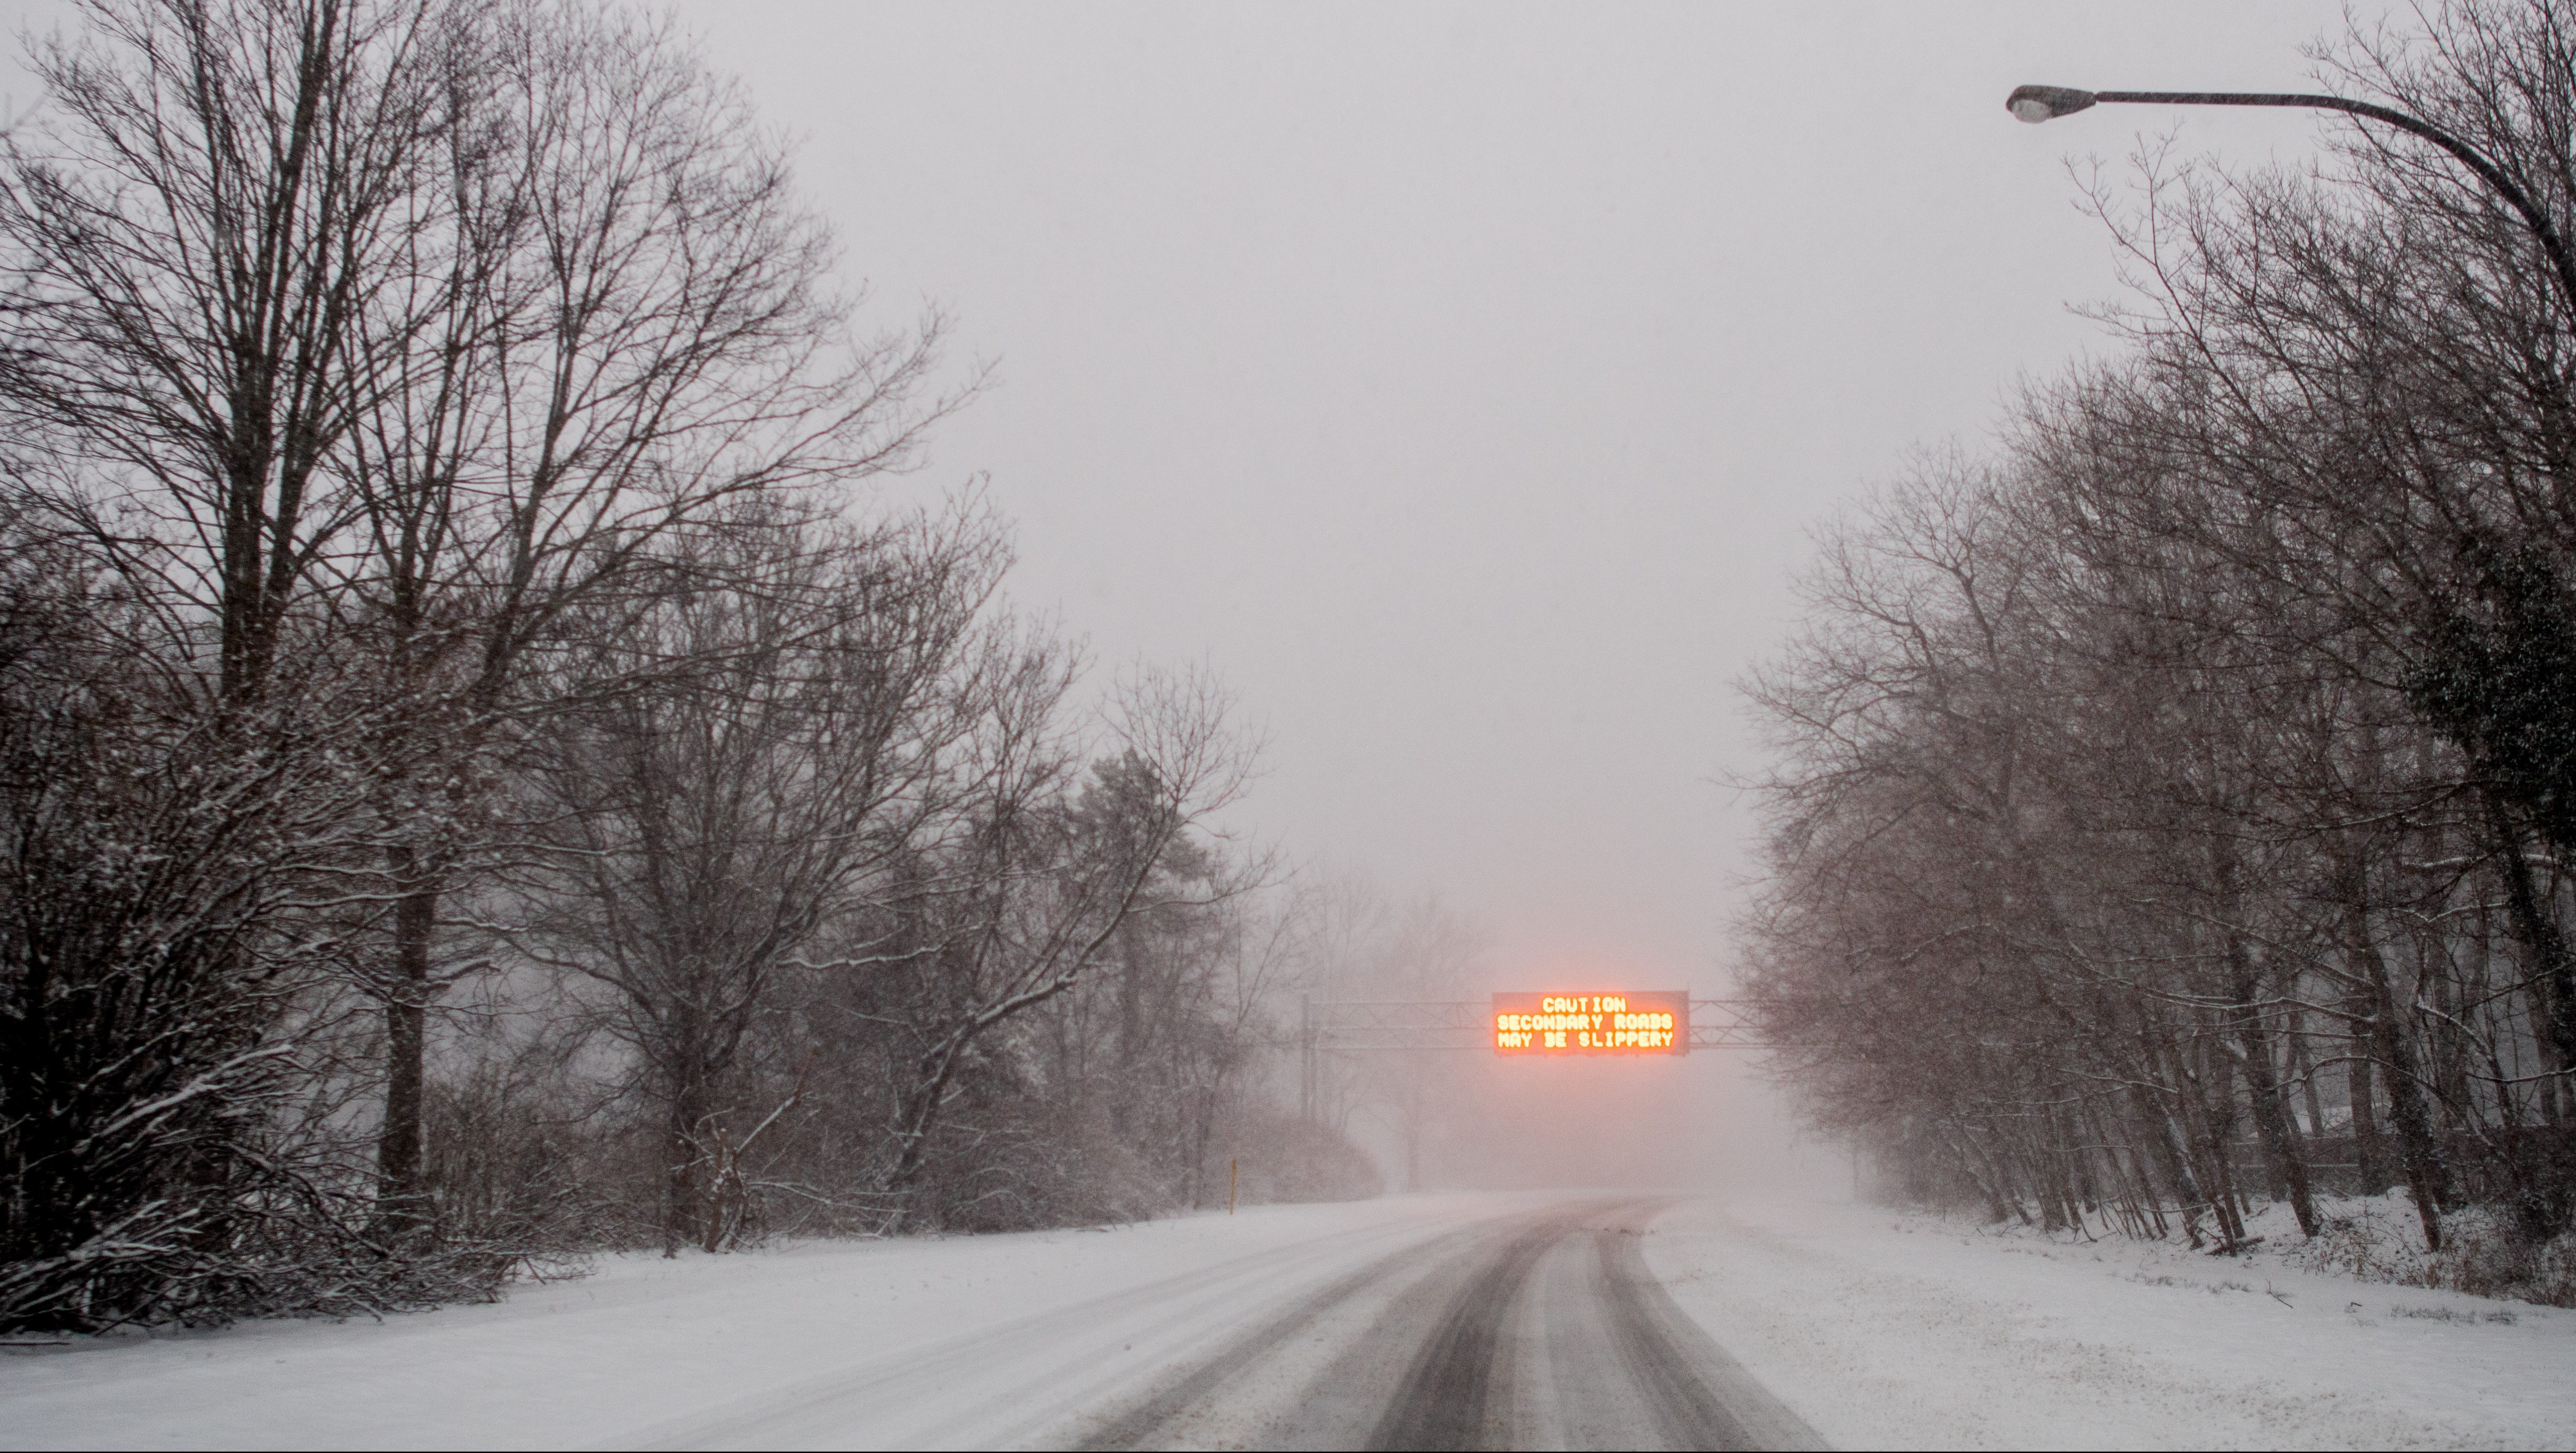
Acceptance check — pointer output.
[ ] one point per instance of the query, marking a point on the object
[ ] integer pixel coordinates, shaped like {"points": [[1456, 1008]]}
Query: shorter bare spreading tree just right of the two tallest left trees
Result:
{"points": [[808, 710]]}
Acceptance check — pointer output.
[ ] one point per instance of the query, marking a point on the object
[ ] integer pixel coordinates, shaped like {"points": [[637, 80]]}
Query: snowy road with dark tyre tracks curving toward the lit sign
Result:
{"points": [[1506, 1328]]}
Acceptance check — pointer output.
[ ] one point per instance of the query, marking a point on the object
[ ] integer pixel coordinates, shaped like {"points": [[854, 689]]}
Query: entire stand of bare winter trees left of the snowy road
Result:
{"points": [[437, 558]]}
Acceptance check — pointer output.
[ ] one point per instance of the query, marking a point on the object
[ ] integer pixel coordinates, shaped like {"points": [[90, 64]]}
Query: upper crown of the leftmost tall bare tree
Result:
{"points": [[210, 207]]}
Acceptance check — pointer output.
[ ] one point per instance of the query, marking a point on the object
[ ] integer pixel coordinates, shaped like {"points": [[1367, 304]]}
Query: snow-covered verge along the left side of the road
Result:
{"points": [[648, 1346]]}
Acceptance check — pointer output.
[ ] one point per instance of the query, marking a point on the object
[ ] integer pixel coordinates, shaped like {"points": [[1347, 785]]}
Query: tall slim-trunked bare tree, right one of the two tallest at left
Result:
{"points": [[632, 328]]}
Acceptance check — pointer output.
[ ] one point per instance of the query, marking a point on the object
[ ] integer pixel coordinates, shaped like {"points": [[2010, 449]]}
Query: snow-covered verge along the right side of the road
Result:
{"points": [[1892, 1331]]}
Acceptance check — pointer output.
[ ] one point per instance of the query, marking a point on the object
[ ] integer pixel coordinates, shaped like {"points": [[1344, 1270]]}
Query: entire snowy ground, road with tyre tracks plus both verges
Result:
{"points": [[1428, 1320]]}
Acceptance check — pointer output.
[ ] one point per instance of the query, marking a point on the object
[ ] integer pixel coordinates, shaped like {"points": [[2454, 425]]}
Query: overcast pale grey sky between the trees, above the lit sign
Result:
{"points": [[1459, 380]]}
